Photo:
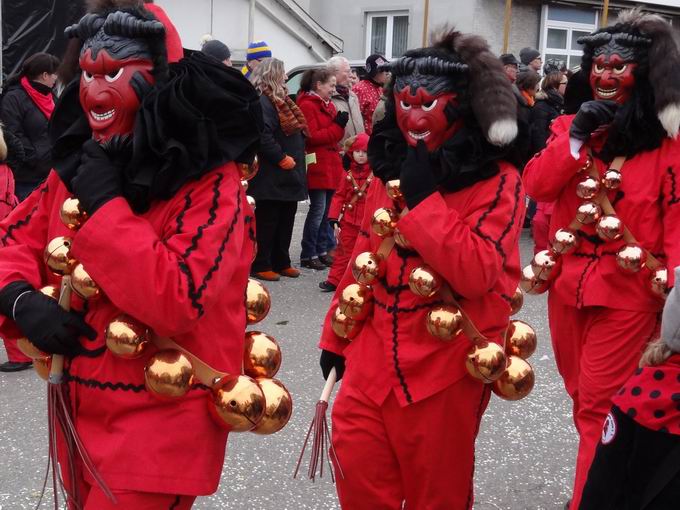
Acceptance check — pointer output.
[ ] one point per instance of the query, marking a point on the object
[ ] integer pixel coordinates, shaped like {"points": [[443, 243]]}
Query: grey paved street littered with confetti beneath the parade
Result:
{"points": [[525, 450]]}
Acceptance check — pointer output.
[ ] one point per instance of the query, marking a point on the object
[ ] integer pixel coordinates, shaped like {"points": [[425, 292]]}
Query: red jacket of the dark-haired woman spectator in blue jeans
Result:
{"points": [[324, 136]]}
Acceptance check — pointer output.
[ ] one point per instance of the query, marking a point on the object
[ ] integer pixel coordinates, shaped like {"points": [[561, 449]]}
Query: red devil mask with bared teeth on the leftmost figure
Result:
{"points": [[107, 94]]}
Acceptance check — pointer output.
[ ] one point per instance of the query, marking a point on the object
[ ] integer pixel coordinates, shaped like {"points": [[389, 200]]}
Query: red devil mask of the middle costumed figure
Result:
{"points": [[422, 116]]}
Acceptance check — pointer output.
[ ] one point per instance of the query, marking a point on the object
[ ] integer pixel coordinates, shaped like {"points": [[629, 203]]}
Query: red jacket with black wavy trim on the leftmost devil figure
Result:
{"points": [[181, 268]]}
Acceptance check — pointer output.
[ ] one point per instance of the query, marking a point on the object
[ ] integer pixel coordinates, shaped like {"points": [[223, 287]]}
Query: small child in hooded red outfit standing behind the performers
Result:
{"points": [[347, 207]]}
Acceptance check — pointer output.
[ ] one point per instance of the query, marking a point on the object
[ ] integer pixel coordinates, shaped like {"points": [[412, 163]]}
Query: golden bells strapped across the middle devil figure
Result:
{"points": [[511, 376]]}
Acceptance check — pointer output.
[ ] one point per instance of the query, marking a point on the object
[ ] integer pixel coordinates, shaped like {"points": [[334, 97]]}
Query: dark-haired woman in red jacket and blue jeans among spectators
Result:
{"points": [[326, 130]]}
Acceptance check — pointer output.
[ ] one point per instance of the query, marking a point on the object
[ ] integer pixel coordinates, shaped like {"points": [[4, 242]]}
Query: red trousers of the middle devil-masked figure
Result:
{"points": [[422, 453]]}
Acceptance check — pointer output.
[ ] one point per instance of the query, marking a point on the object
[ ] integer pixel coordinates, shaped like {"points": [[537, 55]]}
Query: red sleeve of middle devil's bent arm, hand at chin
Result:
{"points": [[469, 251]]}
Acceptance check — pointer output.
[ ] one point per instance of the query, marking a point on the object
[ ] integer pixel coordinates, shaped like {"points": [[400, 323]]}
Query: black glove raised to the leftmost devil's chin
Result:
{"points": [[98, 179]]}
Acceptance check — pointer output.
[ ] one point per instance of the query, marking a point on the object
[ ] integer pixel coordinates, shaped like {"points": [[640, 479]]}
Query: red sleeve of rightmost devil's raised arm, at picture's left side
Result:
{"points": [[551, 169]]}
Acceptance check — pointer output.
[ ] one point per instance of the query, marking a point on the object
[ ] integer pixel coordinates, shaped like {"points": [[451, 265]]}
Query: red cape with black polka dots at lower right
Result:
{"points": [[652, 396]]}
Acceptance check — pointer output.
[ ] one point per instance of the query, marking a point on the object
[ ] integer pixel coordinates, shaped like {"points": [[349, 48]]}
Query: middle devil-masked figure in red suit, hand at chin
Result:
{"points": [[401, 383]]}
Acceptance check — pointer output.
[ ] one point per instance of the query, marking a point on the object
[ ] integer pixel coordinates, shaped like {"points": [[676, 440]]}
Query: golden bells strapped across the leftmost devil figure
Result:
{"points": [[253, 401]]}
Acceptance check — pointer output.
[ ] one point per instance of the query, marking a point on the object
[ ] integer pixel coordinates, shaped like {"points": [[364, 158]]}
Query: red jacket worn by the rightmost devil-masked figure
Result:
{"points": [[648, 203]]}
